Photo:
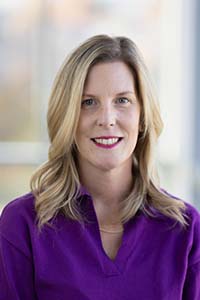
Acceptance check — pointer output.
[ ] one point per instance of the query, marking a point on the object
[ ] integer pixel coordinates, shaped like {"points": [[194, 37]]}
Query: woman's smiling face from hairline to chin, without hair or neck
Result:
{"points": [[109, 120]]}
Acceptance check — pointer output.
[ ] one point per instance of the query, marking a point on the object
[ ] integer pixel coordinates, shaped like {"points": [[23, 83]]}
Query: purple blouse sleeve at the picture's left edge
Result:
{"points": [[16, 273]]}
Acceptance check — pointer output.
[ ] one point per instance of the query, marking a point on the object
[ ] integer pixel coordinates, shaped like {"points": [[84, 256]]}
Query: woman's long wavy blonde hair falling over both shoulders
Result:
{"points": [[56, 183]]}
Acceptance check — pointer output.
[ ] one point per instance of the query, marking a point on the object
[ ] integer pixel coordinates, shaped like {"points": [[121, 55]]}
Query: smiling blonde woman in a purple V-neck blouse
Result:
{"points": [[96, 224]]}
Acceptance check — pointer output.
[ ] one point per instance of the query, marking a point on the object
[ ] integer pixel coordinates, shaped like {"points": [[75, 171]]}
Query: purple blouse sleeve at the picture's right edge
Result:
{"points": [[192, 283]]}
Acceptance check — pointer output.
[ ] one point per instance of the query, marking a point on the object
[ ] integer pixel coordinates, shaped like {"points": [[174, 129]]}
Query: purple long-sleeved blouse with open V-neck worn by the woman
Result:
{"points": [[157, 260]]}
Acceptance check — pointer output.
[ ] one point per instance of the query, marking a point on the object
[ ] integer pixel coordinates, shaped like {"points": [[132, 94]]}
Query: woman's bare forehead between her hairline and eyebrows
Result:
{"points": [[109, 77]]}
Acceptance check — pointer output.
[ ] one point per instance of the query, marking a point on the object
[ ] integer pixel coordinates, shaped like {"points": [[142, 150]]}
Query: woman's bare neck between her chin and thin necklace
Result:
{"points": [[108, 189]]}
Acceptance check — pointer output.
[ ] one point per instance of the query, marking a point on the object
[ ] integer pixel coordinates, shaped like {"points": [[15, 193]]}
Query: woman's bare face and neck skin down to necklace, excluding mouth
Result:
{"points": [[107, 173]]}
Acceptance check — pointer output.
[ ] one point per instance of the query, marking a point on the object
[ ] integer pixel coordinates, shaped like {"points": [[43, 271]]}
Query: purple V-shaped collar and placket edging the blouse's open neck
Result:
{"points": [[116, 266]]}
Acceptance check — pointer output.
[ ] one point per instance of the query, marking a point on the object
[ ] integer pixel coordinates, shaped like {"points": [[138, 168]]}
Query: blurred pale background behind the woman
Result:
{"points": [[35, 37]]}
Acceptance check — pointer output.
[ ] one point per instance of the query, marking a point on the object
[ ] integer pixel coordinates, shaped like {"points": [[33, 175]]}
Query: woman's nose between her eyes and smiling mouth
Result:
{"points": [[106, 116]]}
